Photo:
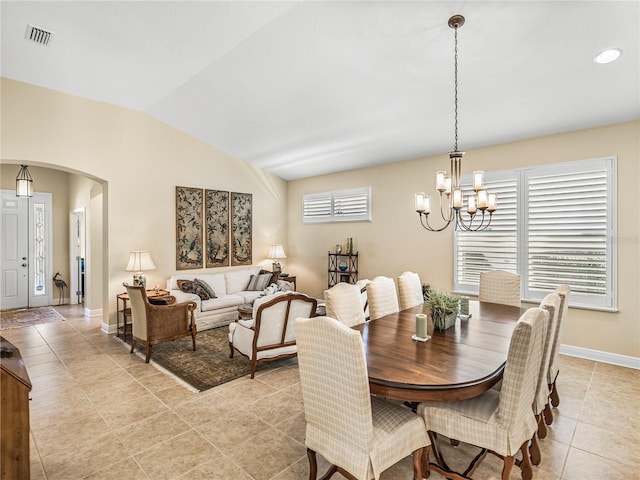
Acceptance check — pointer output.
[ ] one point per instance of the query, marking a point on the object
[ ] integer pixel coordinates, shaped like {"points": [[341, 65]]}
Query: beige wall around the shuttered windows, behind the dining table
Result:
{"points": [[394, 241]]}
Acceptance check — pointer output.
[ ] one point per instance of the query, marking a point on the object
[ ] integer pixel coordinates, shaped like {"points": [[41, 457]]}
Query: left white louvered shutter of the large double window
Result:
{"points": [[495, 248]]}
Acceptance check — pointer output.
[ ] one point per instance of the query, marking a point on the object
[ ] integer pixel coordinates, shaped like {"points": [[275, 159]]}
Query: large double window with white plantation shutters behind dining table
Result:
{"points": [[555, 224]]}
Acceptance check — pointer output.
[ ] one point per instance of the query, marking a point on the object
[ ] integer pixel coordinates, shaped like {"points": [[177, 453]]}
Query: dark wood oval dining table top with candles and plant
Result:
{"points": [[461, 362]]}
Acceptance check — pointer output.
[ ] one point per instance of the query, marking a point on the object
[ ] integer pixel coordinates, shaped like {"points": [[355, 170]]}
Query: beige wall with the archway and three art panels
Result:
{"points": [[138, 161]]}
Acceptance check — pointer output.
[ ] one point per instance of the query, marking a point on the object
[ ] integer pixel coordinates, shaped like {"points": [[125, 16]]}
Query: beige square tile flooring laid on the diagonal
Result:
{"points": [[100, 413]]}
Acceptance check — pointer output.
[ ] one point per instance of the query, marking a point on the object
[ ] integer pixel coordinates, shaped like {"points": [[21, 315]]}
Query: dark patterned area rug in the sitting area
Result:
{"points": [[205, 368]]}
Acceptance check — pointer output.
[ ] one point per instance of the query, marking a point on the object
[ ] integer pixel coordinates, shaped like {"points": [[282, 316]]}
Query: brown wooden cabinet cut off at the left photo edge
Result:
{"points": [[15, 386]]}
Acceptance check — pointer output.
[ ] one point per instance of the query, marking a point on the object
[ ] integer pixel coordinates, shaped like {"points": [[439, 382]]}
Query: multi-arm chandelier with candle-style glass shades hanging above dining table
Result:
{"points": [[480, 202]]}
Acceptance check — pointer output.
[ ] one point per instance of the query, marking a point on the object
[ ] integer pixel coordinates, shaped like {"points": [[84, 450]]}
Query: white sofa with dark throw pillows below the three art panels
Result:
{"points": [[230, 289]]}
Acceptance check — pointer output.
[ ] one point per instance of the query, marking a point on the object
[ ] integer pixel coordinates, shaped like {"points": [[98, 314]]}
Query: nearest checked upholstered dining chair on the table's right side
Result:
{"points": [[499, 422]]}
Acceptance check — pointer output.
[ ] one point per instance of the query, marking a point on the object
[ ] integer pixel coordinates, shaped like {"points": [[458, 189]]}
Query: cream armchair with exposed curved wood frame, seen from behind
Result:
{"points": [[271, 332]]}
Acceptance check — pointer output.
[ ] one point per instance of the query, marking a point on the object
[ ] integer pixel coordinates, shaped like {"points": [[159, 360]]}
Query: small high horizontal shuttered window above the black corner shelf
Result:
{"points": [[340, 206]]}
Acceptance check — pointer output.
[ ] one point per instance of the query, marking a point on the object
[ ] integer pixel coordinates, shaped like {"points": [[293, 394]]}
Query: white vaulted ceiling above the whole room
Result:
{"points": [[308, 88]]}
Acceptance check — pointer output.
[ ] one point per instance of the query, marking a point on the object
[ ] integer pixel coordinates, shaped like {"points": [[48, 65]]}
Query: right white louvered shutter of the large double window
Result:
{"points": [[568, 226]]}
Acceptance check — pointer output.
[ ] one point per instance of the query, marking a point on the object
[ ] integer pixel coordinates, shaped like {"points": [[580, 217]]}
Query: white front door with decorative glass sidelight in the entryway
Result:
{"points": [[25, 250]]}
